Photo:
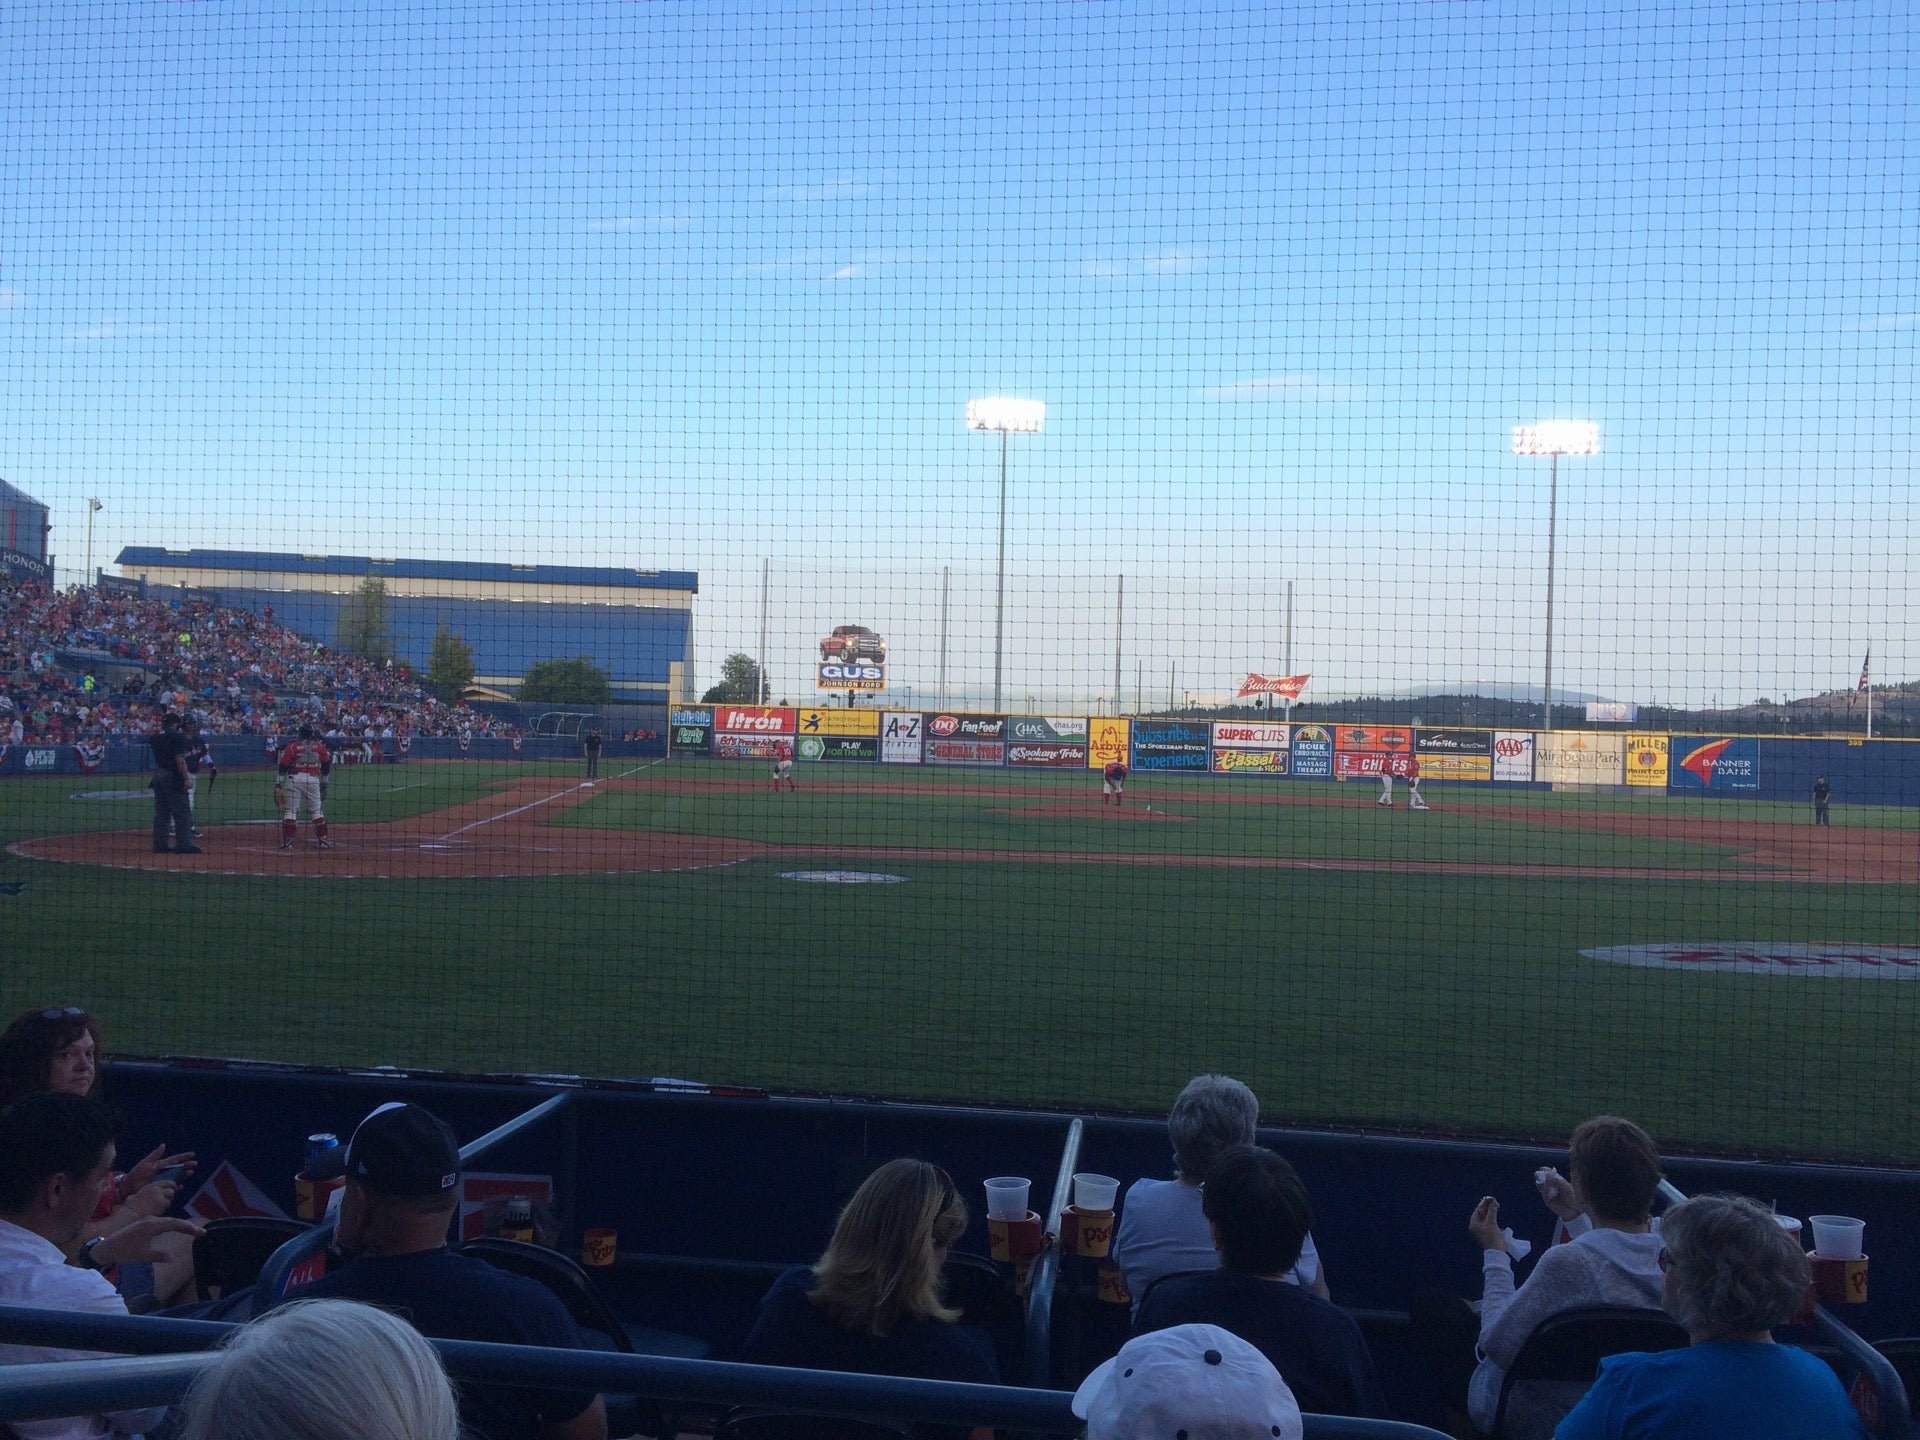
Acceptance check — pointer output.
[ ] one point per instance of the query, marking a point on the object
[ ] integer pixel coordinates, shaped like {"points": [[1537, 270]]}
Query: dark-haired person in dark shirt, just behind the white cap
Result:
{"points": [[1259, 1214]]}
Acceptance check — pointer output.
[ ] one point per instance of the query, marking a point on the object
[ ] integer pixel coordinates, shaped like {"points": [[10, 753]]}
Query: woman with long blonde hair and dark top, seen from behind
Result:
{"points": [[873, 1303]]}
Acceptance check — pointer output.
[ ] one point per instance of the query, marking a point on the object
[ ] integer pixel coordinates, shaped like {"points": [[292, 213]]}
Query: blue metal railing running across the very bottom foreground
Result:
{"points": [[147, 1380]]}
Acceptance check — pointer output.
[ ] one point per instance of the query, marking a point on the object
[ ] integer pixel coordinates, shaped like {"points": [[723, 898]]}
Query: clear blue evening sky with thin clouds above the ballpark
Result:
{"points": [[692, 285]]}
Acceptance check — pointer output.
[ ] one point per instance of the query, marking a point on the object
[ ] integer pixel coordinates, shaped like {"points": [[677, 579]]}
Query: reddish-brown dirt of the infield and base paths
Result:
{"points": [[506, 834]]}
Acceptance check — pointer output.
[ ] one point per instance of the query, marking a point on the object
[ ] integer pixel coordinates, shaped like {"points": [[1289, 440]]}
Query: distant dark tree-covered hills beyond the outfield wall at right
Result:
{"points": [[1896, 713]]}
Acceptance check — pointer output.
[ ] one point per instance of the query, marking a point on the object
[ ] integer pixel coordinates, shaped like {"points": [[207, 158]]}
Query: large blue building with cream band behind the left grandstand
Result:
{"points": [[636, 625]]}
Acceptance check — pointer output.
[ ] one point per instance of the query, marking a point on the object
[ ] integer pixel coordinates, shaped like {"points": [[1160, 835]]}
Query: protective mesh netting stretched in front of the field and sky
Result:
{"points": [[479, 383]]}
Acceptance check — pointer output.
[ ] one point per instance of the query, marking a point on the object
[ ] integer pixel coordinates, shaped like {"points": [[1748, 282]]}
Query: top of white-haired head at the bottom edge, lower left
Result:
{"points": [[324, 1370]]}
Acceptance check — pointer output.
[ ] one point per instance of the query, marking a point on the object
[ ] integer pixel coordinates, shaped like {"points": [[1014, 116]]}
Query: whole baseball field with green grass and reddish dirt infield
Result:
{"points": [[1356, 965]]}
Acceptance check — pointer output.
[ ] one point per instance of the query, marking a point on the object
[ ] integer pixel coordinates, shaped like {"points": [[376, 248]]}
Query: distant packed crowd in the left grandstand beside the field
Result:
{"points": [[89, 665]]}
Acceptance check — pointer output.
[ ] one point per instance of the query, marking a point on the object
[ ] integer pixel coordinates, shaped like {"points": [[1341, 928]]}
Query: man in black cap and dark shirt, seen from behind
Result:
{"points": [[404, 1182]]}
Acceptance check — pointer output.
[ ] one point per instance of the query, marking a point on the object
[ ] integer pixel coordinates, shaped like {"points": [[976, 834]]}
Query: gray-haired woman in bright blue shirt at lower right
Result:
{"points": [[1731, 1276]]}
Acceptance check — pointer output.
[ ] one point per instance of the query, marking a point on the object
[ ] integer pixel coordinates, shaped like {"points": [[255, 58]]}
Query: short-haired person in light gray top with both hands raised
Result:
{"points": [[1616, 1176]]}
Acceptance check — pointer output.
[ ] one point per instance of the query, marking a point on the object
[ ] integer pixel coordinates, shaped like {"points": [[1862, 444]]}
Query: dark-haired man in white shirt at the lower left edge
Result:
{"points": [[57, 1159]]}
